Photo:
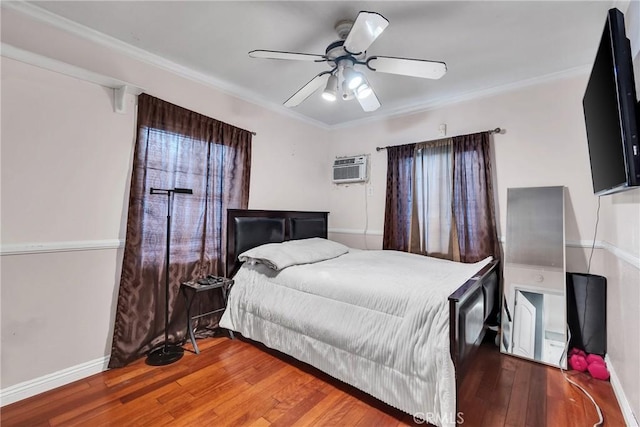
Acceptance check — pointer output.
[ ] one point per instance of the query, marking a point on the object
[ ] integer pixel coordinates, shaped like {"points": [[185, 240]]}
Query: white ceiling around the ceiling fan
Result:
{"points": [[486, 45]]}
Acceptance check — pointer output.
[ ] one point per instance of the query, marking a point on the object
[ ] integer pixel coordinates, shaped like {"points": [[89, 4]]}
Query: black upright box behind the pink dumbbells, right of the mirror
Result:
{"points": [[587, 312]]}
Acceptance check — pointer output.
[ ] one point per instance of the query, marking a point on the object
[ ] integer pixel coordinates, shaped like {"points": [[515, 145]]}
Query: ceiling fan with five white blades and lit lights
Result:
{"points": [[349, 52]]}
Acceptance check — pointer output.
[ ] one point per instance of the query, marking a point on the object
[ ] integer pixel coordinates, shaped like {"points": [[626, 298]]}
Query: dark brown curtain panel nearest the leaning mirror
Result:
{"points": [[473, 203]]}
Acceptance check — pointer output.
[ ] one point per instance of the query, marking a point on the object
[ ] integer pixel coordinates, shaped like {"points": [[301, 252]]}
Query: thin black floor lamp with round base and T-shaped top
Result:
{"points": [[167, 353]]}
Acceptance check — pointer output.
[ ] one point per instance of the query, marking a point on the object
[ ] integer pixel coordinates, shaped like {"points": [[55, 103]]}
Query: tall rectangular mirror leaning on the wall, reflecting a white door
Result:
{"points": [[534, 308]]}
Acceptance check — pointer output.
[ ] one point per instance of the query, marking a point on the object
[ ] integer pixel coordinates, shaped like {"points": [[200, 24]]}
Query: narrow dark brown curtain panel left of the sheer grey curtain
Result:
{"points": [[399, 200]]}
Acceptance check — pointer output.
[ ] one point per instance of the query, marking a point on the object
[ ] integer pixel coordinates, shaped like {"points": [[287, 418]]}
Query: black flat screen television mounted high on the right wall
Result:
{"points": [[611, 112]]}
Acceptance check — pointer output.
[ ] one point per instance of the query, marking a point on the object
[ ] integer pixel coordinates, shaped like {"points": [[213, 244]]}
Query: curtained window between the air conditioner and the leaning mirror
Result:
{"points": [[446, 187]]}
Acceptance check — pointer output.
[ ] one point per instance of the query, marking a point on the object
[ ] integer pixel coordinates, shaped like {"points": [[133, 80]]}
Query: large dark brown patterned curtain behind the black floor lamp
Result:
{"points": [[175, 147]]}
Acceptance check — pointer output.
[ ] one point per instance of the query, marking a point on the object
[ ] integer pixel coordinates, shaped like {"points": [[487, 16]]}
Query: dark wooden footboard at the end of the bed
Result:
{"points": [[469, 309]]}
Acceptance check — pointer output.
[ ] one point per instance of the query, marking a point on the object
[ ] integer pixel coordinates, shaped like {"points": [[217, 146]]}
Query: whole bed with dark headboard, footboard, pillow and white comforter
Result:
{"points": [[401, 327]]}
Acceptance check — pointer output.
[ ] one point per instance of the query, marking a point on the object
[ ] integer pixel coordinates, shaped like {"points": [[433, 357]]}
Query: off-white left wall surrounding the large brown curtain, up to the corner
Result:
{"points": [[66, 159]]}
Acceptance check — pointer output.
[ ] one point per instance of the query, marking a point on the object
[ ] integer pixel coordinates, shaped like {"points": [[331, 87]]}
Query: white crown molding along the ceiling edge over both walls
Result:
{"points": [[236, 91]]}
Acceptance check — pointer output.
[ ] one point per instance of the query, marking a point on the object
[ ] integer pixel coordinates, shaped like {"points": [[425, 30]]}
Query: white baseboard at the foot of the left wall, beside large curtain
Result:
{"points": [[48, 382]]}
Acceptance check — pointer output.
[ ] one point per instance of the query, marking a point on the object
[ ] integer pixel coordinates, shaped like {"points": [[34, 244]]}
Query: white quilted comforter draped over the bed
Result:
{"points": [[378, 320]]}
